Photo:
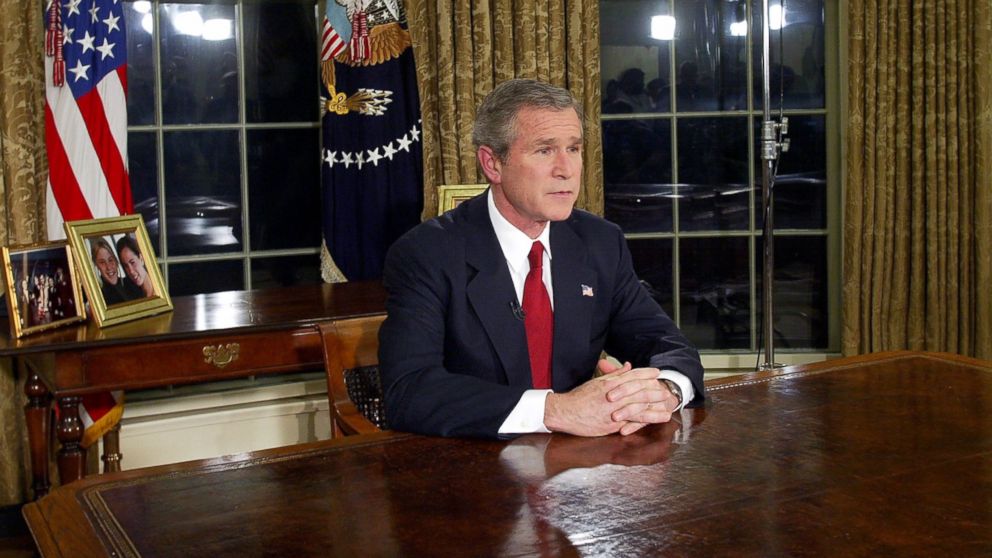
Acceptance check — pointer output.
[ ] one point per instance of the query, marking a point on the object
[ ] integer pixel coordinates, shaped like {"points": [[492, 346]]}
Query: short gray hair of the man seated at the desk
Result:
{"points": [[496, 118]]}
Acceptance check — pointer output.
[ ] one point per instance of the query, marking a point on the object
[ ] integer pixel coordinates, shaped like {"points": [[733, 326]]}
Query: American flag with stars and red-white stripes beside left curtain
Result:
{"points": [[86, 137]]}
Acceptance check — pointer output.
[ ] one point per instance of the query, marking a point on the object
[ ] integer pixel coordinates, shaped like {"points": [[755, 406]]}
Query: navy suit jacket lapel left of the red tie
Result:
{"points": [[490, 292]]}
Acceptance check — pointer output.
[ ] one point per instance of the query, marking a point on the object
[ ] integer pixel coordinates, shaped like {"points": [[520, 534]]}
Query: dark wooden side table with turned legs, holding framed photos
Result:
{"points": [[258, 332]]}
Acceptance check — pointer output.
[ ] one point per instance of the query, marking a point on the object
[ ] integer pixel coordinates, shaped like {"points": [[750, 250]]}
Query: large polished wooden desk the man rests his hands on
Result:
{"points": [[887, 455]]}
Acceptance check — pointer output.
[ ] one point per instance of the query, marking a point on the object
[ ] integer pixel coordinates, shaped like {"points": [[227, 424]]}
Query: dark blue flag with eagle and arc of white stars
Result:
{"points": [[372, 162]]}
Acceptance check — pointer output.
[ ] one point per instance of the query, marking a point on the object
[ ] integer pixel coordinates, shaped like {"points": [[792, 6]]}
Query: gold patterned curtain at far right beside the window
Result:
{"points": [[918, 208]]}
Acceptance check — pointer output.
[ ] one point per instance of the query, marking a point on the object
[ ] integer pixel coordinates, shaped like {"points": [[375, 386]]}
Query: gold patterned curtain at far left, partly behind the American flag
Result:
{"points": [[23, 172]]}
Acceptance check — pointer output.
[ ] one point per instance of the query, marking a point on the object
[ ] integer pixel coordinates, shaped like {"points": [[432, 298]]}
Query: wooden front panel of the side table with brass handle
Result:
{"points": [[200, 360]]}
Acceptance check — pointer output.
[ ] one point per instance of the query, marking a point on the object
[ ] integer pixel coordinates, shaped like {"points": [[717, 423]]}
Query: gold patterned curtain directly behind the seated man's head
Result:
{"points": [[463, 48]]}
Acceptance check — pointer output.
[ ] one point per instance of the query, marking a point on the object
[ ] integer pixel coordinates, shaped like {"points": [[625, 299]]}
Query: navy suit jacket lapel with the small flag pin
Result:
{"points": [[575, 288]]}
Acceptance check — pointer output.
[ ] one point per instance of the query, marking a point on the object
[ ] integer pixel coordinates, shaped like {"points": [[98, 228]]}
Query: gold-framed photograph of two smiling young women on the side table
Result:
{"points": [[117, 266]]}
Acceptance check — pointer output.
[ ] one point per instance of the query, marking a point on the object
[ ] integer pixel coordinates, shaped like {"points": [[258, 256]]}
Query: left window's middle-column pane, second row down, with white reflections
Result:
{"points": [[203, 192]]}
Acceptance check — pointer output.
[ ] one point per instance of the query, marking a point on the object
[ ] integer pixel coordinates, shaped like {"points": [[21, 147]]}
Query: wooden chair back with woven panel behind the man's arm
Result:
{"points": [[351, 360]]}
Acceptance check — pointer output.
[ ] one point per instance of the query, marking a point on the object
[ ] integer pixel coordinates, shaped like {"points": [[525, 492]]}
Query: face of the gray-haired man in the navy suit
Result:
{"points": [[539, 180]]}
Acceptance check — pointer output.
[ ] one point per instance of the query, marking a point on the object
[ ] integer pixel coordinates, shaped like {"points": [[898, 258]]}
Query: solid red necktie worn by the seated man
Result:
{"points": [[538, 320]]}
